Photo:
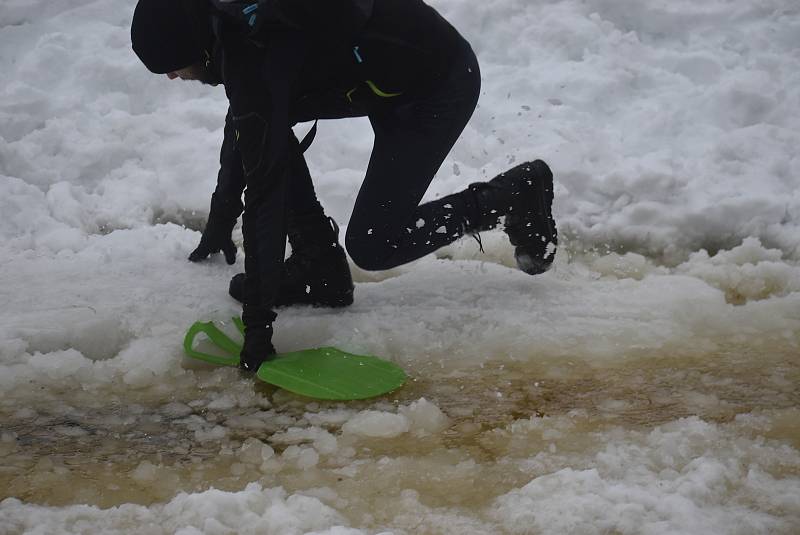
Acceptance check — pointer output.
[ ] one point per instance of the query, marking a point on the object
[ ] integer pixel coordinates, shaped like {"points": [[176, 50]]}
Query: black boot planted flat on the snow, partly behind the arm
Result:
{"points": [[316, 273]]}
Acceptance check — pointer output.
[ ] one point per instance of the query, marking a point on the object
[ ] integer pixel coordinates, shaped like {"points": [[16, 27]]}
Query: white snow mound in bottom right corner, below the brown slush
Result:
{"points": [[665, 481]]}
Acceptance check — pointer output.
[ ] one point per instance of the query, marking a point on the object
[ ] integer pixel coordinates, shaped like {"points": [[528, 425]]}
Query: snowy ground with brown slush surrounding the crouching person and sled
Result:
{"points": [[647, 384]]}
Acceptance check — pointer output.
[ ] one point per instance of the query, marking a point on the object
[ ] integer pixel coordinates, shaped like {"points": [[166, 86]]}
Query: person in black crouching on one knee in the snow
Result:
{"points": [[397, 62]]}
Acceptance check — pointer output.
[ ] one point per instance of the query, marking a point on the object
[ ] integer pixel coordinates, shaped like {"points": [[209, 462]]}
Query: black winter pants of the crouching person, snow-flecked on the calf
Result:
{"points": [[388, 226]]}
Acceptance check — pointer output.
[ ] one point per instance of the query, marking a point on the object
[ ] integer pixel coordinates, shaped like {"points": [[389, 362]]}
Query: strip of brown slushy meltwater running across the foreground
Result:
{"points": [[219, 430]]}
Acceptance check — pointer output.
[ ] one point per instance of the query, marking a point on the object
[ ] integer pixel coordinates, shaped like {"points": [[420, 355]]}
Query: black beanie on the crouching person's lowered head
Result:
{"points": [[168, 35]]}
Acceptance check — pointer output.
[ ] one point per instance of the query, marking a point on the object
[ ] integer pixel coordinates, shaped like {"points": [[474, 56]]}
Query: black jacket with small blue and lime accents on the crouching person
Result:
{"points": [[310, 59]]}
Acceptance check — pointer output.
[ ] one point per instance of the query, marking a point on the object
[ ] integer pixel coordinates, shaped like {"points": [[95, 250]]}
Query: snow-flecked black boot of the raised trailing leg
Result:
{"points": [[524, 195]]}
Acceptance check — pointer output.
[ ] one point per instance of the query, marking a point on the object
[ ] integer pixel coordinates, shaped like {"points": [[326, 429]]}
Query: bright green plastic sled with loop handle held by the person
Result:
{"points": [[323, 373]]}
